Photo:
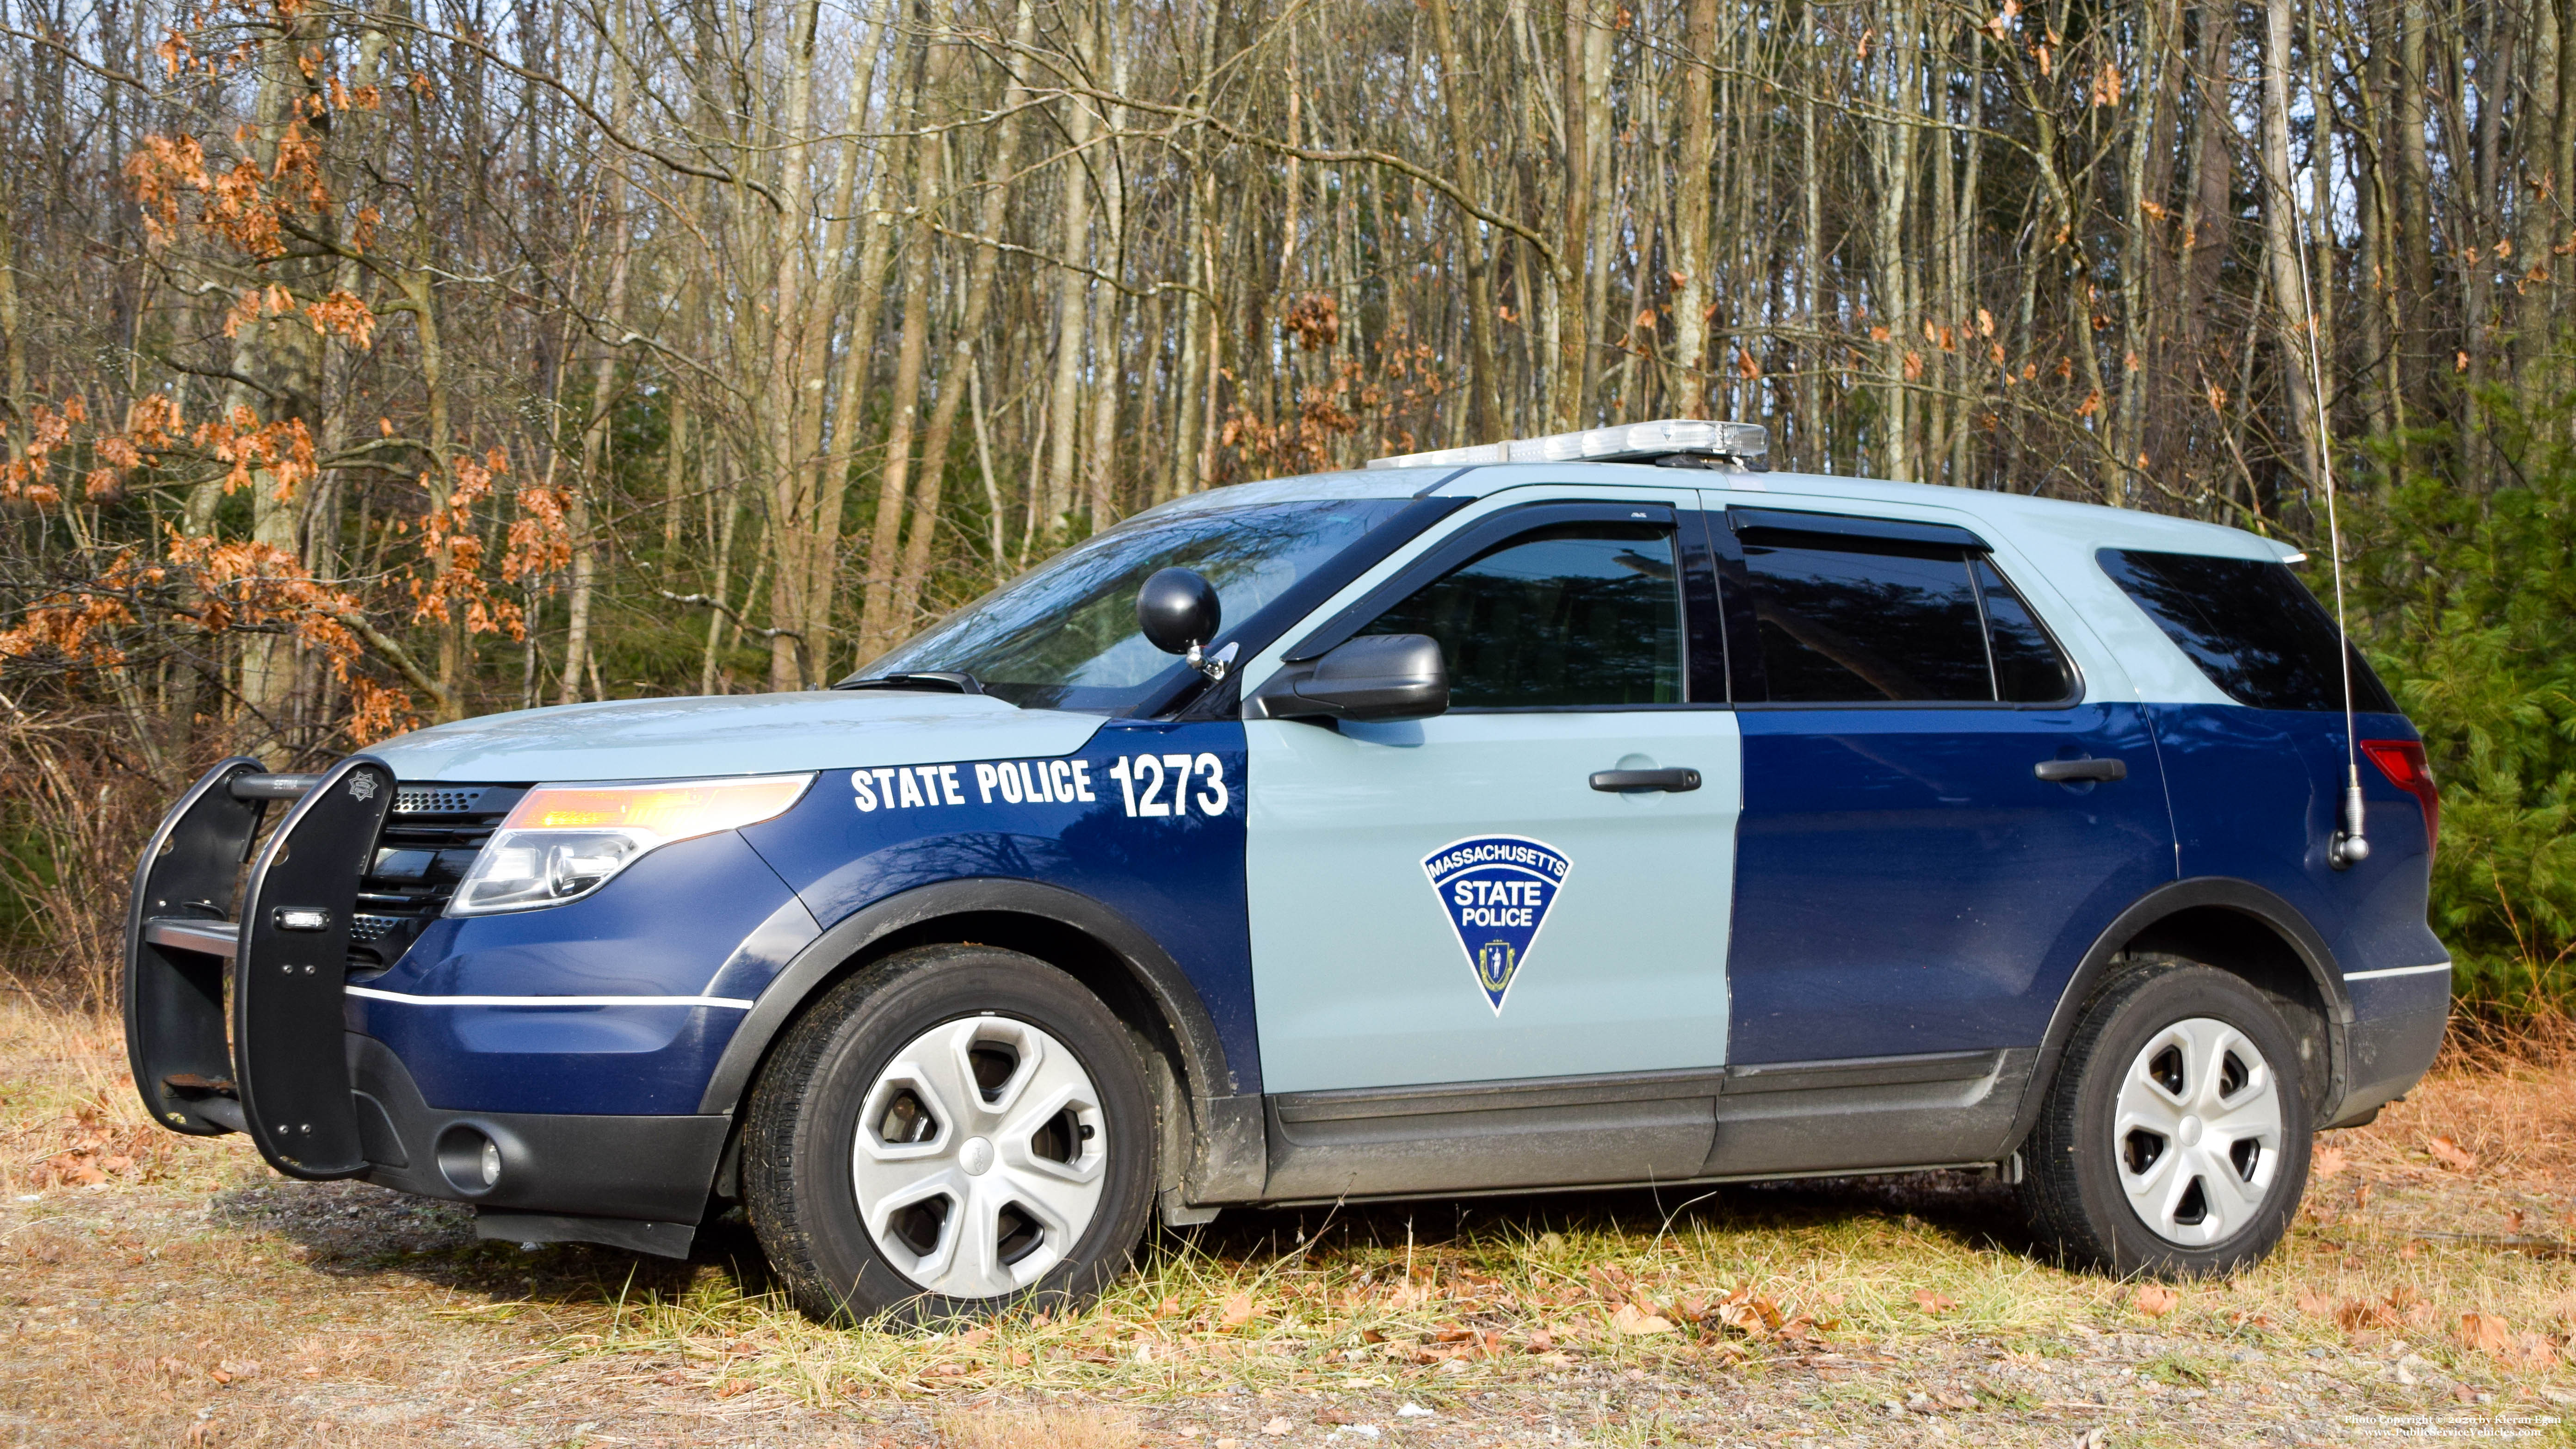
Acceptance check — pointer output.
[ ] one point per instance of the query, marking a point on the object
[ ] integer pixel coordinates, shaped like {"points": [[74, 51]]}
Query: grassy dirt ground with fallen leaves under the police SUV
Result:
{"points": [[169, 1290]]}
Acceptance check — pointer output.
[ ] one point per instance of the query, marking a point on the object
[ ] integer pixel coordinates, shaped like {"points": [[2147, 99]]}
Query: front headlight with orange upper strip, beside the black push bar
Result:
{"points": [[571, 839]]}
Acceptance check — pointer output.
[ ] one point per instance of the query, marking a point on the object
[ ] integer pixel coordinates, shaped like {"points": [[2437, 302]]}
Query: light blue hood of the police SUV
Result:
{"points": [[730, 736]]}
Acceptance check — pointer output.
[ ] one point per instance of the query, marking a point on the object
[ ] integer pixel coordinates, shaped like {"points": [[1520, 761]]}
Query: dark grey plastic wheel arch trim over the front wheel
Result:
{"points": [[1233, 1149]]}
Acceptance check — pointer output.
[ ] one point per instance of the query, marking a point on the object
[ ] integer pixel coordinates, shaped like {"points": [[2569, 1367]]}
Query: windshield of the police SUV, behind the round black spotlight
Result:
{"points": [[1065, 633]]}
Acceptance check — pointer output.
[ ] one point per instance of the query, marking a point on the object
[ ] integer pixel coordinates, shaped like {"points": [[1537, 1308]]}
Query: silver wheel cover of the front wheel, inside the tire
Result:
{"points": [[983, 1187]]}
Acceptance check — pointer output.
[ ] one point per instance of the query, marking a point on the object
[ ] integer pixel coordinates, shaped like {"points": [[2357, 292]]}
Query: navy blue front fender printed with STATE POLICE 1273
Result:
{"points": [[1176, 878]]}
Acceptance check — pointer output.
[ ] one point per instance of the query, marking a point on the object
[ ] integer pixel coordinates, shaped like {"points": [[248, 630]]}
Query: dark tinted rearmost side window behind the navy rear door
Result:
{"points": [[2250, 625]]}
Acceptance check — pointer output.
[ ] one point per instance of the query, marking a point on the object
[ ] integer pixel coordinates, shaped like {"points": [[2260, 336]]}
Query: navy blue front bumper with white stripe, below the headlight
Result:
{"points": [[663, 929]]}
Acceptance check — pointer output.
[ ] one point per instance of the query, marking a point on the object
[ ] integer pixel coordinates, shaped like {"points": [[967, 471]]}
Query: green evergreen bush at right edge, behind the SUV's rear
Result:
{"points": [[2467, 605]]}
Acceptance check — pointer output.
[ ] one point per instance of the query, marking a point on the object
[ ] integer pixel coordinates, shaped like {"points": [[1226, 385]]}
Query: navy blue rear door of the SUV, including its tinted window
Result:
{"points": [[1936, 813]]}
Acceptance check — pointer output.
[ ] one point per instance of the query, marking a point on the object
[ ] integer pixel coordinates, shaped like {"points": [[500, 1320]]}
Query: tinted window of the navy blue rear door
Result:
{"points": [[1879, 620]]}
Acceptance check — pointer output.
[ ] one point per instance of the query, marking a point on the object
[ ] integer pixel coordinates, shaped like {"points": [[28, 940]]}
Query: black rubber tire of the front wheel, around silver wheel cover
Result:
{"points": [[800, 1136]]}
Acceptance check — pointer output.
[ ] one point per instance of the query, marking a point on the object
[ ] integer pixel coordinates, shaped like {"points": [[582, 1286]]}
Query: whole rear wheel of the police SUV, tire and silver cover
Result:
{"points": [[2175, 1136]]}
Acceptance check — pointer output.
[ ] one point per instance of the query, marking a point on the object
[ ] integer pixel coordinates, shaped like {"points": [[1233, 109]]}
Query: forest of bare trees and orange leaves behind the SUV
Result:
{"points": [[380, 365]]}
